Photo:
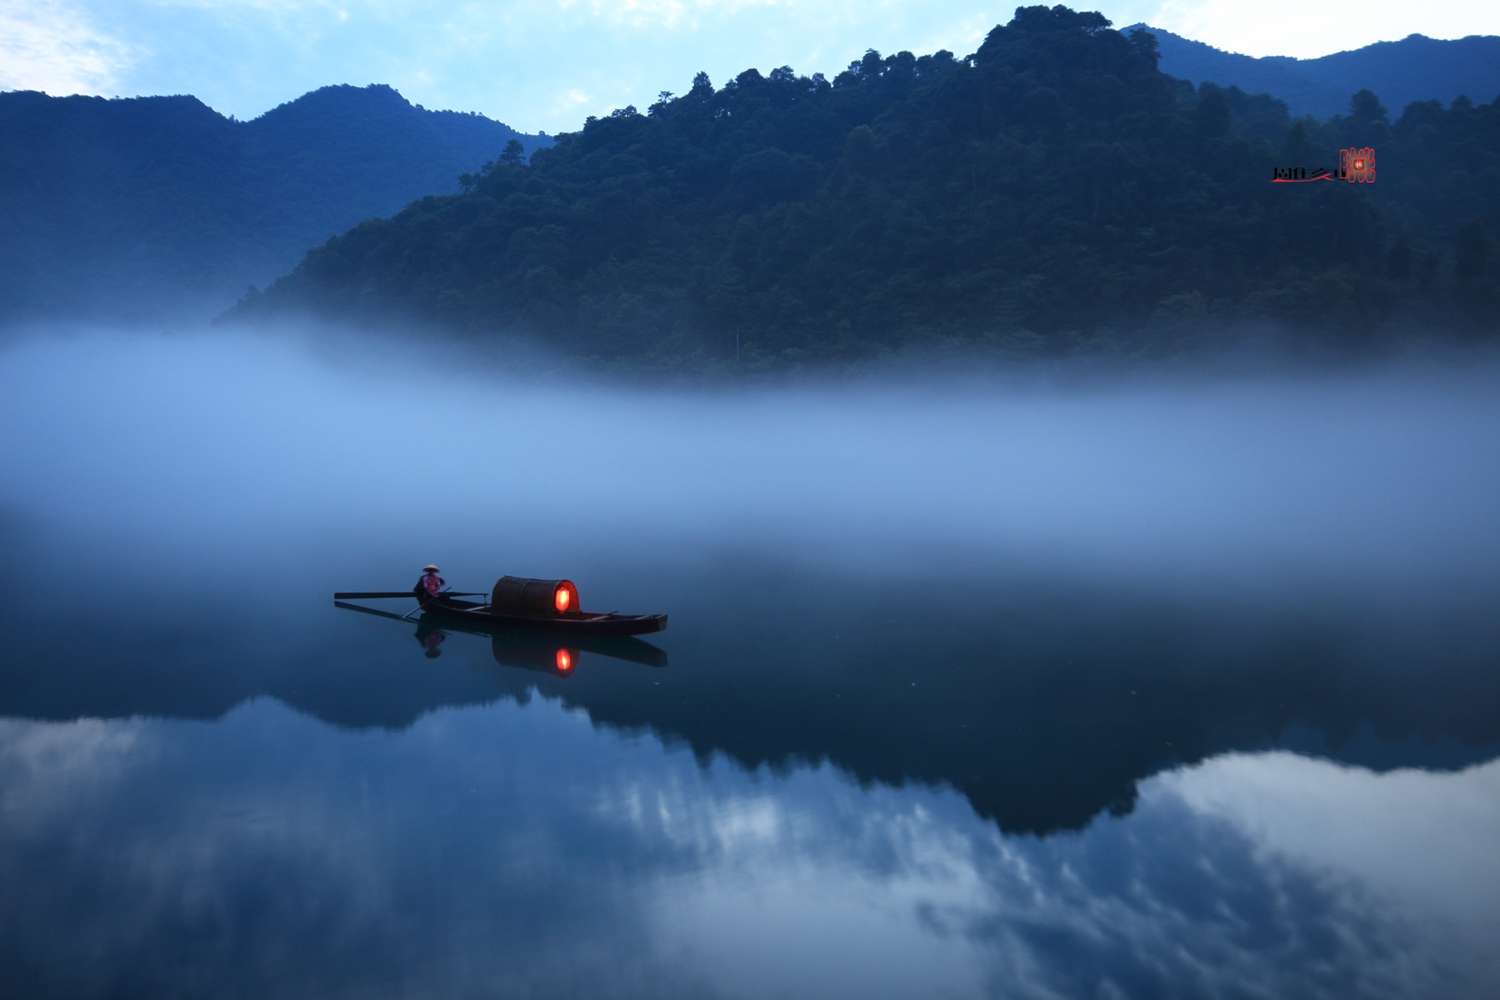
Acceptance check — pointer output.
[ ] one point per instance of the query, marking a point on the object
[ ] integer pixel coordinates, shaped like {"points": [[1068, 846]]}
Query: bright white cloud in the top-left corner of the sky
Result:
{"points": [[49, 46]]}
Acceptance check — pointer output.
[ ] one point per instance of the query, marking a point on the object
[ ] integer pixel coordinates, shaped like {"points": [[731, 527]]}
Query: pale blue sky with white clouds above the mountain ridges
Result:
{"points": [[547, 64]]}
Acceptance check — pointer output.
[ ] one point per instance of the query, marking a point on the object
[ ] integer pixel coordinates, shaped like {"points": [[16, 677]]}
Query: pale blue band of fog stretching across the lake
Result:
{"points": [[230, 448]]}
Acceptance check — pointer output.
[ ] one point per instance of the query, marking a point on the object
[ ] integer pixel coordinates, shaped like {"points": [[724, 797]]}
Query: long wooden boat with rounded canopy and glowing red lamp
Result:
{"points": [[526, 603]]}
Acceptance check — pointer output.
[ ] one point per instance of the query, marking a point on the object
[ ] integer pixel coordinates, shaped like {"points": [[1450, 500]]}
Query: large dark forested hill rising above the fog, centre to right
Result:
{"points": [[1051, 194]]}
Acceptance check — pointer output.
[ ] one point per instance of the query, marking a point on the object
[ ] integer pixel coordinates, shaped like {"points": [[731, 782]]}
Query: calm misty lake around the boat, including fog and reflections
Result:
{"points": [[1151, 690]]}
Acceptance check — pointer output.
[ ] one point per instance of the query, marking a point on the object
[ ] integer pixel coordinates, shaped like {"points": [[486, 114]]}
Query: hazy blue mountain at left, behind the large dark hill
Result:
{"points": [[157, 206]]}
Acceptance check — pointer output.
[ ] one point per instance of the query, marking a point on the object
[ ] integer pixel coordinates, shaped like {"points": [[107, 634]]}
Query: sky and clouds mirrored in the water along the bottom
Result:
{"points": [[520, 851]]}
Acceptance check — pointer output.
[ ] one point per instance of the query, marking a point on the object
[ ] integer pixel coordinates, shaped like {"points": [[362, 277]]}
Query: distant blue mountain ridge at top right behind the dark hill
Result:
{"points": [[1417, 68]]}
